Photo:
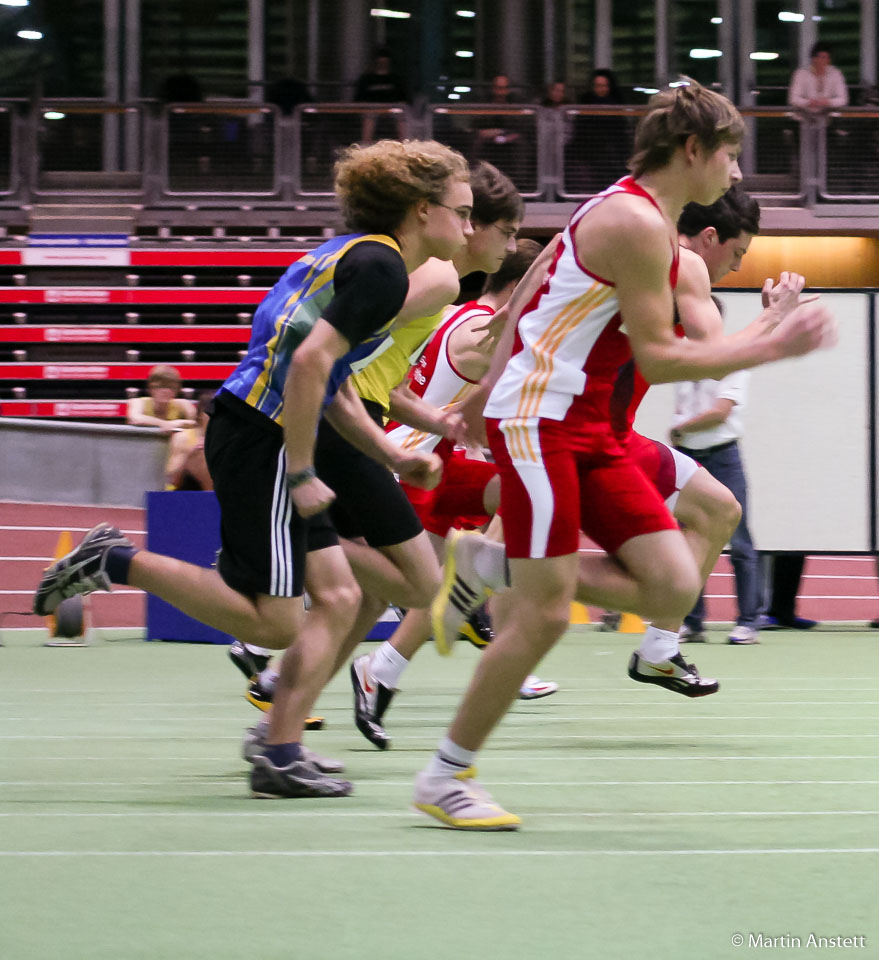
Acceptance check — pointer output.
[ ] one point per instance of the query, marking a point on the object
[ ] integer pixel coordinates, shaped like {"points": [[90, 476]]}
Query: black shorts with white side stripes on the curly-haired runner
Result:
{"points": [[264, 540]]}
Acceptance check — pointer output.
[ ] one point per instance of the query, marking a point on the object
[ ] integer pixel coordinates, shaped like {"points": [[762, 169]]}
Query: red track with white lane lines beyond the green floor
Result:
{"points": [[833, 588]]}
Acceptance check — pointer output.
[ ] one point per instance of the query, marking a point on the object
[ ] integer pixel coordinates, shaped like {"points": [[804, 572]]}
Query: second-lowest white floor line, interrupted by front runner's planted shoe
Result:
{"points": [[296, 814]]}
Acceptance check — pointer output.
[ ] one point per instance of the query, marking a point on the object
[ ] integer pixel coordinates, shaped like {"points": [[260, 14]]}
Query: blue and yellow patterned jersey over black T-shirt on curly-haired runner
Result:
{"points": [[285, 318]]}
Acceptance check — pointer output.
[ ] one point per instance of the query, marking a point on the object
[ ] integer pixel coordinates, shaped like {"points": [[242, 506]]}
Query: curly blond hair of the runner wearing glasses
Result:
{"points": [[377, 184]]}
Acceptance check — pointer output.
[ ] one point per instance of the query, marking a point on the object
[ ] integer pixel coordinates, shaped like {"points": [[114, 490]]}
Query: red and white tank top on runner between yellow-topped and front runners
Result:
{"points": [[434, 378]]}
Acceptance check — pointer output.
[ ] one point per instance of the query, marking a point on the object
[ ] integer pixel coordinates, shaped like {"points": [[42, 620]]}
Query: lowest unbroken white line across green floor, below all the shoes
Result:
{"points": [[745, 851]]}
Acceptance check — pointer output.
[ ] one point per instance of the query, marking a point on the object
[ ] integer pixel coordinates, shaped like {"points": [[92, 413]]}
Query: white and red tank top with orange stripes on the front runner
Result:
{"points": [[571, 359]]}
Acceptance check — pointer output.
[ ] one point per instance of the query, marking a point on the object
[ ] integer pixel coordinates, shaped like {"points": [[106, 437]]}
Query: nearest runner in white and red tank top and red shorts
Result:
{"points": [[607, 299]]}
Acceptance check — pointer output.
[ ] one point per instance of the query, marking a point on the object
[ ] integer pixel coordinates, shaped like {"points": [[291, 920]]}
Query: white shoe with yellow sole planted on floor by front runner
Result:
{"points": [[461, 803]]}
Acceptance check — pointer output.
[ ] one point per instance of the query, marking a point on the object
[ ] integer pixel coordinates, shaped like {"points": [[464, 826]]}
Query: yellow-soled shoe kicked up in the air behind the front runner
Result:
{"points": [[462, 592]]}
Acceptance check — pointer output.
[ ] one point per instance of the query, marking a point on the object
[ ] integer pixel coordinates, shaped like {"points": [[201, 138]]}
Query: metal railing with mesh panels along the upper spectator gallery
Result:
{"points": [[221, 153]]}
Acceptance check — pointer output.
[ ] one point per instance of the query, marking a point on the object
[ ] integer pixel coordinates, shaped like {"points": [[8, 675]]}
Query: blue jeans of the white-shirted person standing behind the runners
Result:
{"points": [[725, 465]]}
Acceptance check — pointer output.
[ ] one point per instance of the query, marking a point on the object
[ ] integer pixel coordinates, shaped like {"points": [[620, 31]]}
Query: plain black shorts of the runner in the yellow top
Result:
{"points": [[369, 501]]}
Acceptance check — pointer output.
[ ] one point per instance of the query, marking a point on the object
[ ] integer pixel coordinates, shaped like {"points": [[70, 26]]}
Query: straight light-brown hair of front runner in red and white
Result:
{"points": [[677, 113]]}
